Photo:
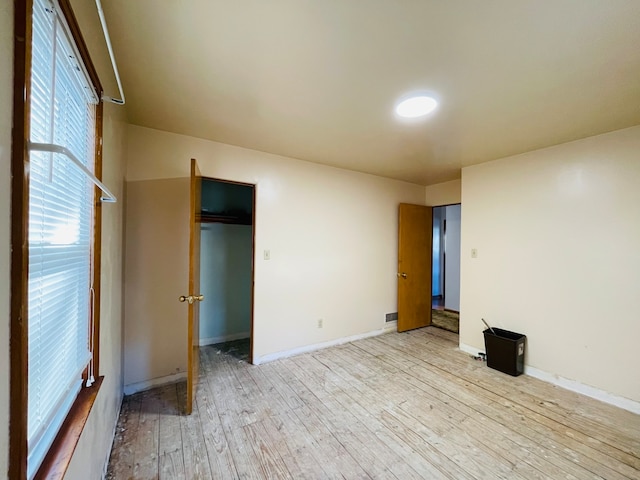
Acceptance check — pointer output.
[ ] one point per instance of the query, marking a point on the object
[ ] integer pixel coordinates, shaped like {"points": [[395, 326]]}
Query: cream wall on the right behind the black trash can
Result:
{"points": [[557, 232]]}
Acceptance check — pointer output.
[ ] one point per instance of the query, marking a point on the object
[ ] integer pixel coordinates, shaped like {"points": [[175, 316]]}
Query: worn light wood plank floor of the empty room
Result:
{"points": [[398, 406]]}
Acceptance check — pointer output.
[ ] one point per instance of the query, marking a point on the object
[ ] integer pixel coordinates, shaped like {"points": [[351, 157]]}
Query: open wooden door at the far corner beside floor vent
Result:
{"points": [[415, 232]]}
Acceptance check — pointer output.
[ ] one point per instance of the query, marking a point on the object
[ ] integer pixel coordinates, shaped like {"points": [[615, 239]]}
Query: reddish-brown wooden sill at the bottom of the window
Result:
{"points": [[58, 458]]}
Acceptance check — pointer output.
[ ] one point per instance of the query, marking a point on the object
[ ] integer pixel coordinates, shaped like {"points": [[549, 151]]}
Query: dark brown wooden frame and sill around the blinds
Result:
{"points": [[60, 453]]}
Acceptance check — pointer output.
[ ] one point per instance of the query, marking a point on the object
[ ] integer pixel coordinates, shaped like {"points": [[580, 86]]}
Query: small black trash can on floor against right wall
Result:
{"points": [[505, 351]]}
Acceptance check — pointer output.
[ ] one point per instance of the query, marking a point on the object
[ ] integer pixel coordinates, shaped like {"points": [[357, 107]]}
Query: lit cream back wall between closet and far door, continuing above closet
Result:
{"points": [[332, 235]]}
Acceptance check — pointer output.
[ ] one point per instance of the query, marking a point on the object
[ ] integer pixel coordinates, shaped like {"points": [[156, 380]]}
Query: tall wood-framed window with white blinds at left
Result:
{"points": [[62, 221]]}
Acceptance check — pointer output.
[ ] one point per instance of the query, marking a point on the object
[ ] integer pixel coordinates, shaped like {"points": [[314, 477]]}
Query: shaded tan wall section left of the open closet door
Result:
{"points": [[156, 274]]}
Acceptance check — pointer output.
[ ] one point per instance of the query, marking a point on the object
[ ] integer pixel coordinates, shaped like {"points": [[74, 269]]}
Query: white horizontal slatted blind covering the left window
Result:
{"points": [[60, 228]]}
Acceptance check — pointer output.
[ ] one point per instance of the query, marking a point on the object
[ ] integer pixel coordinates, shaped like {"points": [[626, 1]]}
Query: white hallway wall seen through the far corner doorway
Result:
{"points": [[452, 258]]}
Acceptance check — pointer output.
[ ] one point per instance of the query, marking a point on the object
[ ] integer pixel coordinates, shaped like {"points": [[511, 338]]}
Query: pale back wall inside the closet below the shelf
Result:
{"points": [[225, 281]]}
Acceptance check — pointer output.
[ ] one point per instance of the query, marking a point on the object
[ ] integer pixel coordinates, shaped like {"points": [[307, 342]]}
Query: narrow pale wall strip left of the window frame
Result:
{"points": [[6, 100]]}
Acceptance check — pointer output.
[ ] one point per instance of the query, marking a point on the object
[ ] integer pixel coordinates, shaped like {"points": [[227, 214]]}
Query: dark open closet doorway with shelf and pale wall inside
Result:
{"points": [[226, 265]]}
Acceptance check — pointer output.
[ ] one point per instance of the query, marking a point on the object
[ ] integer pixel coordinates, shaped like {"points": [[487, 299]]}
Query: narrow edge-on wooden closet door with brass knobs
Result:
{"points": [[194, 286]]}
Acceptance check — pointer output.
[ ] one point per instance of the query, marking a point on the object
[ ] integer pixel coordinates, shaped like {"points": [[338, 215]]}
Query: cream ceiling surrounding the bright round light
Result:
{"points": [[317, 79]]}
